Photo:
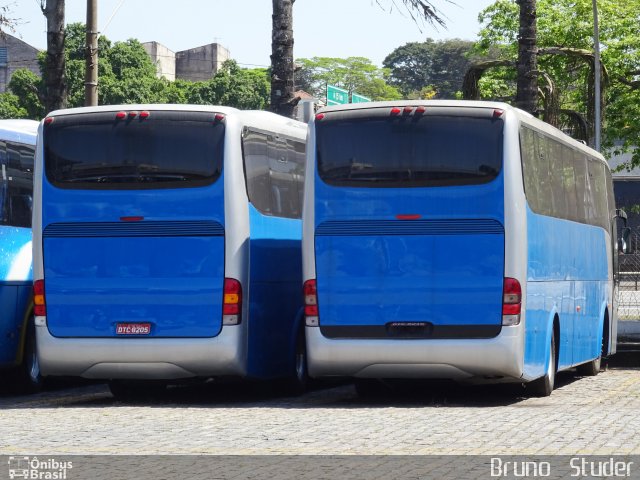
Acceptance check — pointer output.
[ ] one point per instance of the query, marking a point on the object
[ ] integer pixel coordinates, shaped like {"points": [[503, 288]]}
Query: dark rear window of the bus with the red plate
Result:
{"points": [[165, 150]]}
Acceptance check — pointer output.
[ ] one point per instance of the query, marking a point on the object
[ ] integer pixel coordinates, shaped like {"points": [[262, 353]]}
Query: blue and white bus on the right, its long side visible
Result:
{"points": [[455, 240]]}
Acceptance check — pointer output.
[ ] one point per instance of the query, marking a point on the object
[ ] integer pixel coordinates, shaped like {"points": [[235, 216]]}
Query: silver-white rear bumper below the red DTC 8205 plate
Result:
{"points": [[142, 358]]}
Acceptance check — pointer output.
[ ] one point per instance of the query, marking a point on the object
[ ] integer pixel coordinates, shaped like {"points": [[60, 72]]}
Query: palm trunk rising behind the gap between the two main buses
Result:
{"points": [[282, 80]]}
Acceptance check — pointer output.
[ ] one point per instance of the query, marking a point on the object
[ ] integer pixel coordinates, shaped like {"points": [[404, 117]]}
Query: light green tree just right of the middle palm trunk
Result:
{"points": [[355, 74]]}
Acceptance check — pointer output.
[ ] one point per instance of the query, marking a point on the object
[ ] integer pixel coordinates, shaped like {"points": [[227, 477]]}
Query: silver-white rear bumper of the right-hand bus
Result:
{"points": [[499, 358]]}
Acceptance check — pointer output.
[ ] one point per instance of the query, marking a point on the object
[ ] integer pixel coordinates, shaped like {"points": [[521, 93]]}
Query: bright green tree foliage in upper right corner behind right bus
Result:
{"points": [[569, 23]]}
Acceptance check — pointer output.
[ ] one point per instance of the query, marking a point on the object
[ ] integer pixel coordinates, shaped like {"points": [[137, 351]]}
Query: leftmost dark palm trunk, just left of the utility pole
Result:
{"points": [[55, 83]]}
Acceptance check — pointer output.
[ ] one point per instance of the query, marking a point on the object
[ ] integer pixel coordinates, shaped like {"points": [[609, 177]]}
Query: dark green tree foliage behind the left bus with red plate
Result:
{"points": [[127, 75]]}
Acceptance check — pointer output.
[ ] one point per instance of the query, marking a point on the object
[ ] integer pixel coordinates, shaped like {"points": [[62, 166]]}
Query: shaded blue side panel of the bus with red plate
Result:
{"points": [[275, 295]]}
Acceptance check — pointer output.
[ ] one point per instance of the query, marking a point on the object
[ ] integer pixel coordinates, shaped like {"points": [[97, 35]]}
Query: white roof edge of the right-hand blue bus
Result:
{"points": [[523, 116]]}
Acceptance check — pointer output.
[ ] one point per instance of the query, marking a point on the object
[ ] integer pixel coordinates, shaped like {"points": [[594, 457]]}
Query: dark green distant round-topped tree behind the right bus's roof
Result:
{"points": [[437, 65]]}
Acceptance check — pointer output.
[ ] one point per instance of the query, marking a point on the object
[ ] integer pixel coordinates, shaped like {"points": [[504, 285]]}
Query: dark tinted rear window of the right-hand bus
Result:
{"points": [[412, 151]]}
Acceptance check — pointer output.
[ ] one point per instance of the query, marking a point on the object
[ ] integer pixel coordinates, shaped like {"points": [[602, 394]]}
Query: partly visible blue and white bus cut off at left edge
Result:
{"points": [[17, 337]]}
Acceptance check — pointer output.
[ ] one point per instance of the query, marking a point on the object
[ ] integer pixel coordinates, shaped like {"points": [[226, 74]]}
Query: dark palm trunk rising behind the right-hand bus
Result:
{"points": [[527, 65]]}
